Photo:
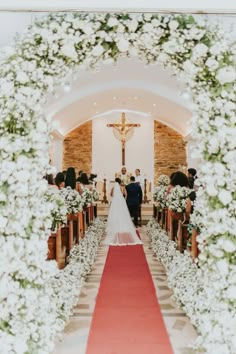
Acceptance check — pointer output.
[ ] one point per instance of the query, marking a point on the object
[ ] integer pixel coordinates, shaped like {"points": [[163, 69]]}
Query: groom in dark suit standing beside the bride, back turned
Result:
{"points": [[134, 199]]}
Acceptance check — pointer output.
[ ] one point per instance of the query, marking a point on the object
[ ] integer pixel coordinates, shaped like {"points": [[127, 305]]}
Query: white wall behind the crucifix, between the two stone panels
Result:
{"points": [[106, 157]]}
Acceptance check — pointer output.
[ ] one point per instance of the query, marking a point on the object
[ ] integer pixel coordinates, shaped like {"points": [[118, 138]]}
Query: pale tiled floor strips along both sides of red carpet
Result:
{"points": [[180, 330]]}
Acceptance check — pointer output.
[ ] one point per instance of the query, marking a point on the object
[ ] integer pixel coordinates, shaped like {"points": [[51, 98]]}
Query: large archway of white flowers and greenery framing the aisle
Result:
{"points": [[55, 47]]}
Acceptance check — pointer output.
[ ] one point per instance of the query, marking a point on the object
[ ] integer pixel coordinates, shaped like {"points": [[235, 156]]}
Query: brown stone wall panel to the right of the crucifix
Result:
{"points": [[169, 150]]}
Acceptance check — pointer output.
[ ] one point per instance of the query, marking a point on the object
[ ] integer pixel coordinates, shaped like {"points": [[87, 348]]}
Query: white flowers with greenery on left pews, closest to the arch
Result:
{"points": [[58, 207]]}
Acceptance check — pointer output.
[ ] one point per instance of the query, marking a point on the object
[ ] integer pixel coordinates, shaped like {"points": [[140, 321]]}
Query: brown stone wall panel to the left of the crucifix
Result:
{"points": [[77, 148]]}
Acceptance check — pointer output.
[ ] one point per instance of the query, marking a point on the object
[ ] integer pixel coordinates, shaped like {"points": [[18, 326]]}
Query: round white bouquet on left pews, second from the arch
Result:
{"points": [[74, 201]]}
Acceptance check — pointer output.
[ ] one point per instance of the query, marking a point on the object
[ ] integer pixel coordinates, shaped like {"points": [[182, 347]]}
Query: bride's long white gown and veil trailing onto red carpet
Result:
{"points": [[120, 228]]}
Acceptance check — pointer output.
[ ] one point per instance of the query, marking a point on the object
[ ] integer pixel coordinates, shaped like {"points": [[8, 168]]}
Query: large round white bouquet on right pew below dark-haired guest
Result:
{"points": [[177, 198]]}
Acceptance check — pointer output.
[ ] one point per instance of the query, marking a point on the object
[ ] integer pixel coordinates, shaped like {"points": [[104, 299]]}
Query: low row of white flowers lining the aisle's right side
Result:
{"points": [[184, 277]]}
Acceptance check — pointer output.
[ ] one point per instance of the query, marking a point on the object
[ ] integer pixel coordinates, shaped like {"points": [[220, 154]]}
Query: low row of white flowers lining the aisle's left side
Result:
{"points": [[67, 282]]}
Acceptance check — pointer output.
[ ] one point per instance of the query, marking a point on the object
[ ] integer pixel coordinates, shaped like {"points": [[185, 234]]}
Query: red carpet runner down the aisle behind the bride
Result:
{"points": [[127, 317]]}
